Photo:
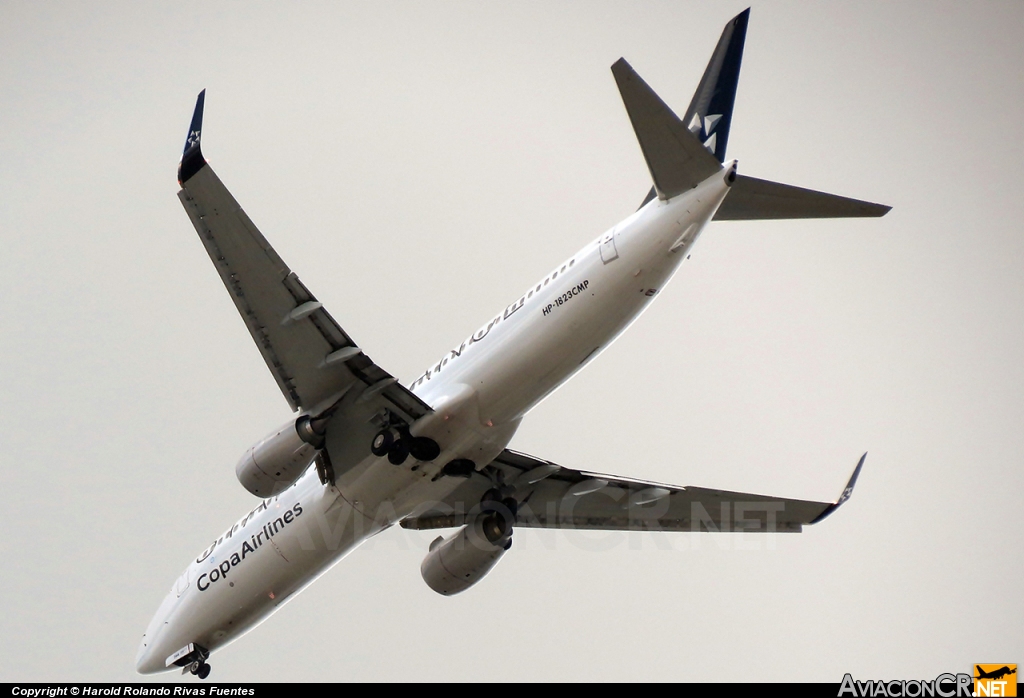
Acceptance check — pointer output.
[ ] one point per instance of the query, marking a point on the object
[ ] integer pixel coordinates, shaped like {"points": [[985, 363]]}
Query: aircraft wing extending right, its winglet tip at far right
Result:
{"points": [[552, 497]]}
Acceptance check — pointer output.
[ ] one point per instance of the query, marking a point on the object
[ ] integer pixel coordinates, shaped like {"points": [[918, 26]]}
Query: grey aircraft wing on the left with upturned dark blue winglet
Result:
{"points": [[314, 361]]}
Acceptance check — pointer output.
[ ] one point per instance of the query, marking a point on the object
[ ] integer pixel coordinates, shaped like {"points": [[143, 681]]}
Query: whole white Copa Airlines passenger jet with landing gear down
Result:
{"points": [[364, 453]]}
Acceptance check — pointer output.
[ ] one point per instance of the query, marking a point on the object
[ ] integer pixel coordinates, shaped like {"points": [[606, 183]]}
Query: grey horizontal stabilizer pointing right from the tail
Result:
{"points": [[752, 199]]}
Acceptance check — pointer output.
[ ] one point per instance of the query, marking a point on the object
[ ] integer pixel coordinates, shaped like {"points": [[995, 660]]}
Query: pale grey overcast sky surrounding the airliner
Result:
{"points": [[419, 165]]}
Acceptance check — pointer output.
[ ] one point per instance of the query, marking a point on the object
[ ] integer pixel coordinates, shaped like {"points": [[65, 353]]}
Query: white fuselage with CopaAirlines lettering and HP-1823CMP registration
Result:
{"points": [[480, 391]]}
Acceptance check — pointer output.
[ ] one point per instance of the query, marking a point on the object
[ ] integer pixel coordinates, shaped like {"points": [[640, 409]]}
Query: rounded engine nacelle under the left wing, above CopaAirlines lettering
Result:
{"points": [[278, 461]]}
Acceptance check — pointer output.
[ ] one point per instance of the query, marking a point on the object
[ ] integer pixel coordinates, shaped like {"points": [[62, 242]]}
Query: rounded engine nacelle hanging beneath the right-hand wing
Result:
{"points": [[455, 564]]}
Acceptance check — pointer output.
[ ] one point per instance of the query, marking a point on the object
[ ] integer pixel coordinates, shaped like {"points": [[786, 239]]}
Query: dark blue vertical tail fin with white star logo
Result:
{"points": [[710, 113]]}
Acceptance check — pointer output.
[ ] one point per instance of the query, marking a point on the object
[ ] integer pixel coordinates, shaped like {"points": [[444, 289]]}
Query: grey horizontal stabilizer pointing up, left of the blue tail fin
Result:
{"points": [[677, 161]]}
